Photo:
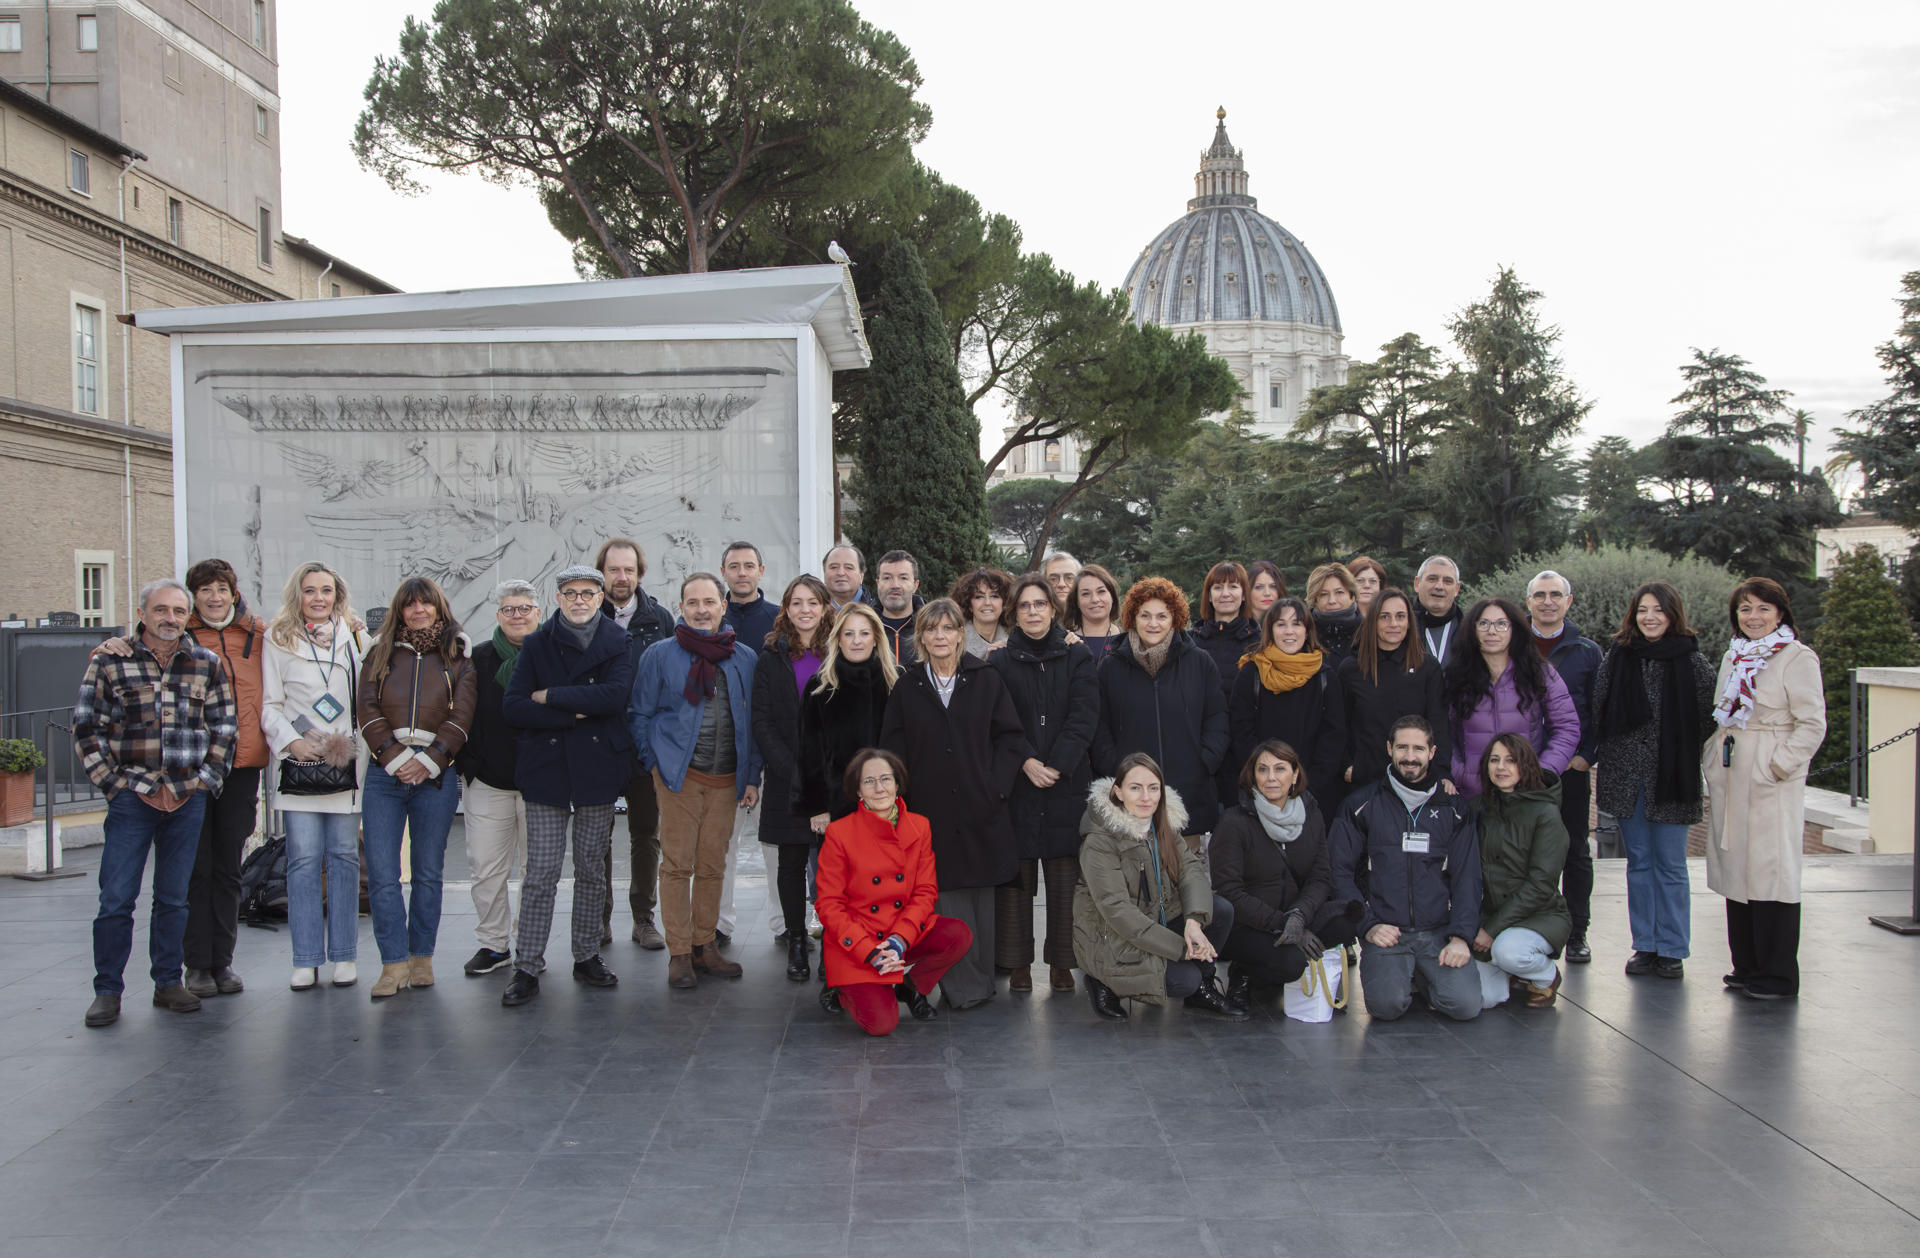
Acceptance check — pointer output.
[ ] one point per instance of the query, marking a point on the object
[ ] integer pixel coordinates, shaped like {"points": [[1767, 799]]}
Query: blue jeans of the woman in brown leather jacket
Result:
{"points": [[425, 813]]}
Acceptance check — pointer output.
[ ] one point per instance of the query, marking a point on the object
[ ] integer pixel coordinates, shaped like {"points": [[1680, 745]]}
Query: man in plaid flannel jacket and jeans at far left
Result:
{"points": [[156, 735]]}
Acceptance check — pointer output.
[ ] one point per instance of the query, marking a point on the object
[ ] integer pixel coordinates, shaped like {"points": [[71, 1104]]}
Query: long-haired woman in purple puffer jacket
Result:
{"points": [[1497, 683]]}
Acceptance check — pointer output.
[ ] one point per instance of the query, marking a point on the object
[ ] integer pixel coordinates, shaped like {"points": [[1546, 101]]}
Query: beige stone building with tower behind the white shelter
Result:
{"points": [[139, 168]]}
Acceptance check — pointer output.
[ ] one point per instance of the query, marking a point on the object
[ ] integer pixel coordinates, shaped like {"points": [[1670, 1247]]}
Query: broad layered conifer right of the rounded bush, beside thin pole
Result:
{"points": [[1731, 496]]}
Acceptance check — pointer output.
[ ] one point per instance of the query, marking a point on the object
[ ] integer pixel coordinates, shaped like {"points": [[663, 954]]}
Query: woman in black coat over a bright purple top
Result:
{"points": [[794, 654]]}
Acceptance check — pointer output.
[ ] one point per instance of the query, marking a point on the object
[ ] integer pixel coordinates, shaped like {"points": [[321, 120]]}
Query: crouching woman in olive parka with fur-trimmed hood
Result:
{"points": [[1145, 919]]}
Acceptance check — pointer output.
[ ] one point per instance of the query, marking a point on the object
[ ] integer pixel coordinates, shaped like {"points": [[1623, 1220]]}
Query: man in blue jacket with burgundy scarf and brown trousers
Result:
{"points": [[694, 731]]}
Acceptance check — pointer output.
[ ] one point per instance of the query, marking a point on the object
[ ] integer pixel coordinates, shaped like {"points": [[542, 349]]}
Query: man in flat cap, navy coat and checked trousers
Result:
{"points": [[567, 704]]}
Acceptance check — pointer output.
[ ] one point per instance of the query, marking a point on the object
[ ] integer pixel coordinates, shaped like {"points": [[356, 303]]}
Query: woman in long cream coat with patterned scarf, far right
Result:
{"points": [[1771, 712]]}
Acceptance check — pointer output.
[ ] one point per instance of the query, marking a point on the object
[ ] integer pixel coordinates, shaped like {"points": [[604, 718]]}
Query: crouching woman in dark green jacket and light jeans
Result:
{"points": [[1524, 848]]}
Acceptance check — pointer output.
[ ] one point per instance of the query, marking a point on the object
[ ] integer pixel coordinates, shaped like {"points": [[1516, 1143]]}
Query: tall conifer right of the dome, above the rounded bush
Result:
{"points": [[1500, 481]]}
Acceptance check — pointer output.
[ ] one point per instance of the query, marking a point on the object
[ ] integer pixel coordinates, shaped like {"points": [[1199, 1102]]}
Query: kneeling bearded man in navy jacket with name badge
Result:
{"points": [[1410, 854]]}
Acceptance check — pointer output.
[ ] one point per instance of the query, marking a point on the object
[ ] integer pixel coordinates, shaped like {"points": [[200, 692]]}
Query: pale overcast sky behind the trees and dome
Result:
{"points": [[1669, 176]]}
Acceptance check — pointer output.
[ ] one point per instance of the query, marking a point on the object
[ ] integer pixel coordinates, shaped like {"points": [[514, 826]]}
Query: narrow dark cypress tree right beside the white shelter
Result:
{"points": [[919, 483]]}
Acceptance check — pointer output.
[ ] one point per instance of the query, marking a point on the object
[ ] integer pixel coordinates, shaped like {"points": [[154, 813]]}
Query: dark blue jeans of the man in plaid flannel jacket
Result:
{"points": [[132, 829]]}
